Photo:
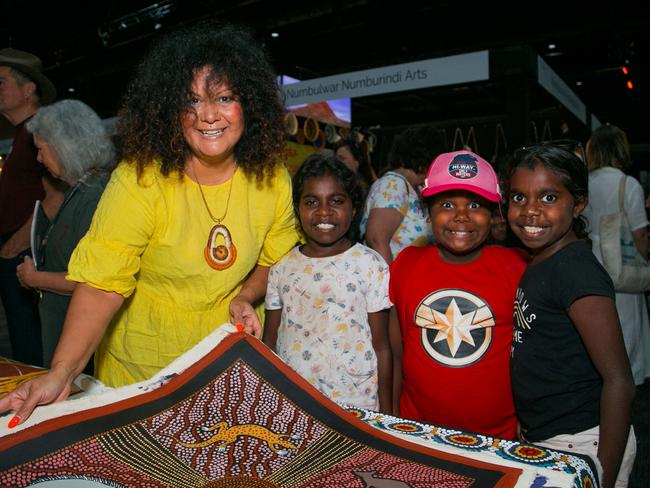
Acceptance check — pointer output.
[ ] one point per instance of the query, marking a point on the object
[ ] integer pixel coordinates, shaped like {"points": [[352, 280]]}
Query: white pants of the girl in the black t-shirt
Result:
{"points": [[586, 442]]}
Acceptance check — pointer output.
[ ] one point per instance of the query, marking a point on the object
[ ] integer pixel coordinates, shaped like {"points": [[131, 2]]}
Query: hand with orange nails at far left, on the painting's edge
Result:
{"points": [[53, 386]]}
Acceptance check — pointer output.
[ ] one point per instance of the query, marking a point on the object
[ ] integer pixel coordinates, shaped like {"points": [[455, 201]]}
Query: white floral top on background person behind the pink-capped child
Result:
{"points": [[394, 191]]}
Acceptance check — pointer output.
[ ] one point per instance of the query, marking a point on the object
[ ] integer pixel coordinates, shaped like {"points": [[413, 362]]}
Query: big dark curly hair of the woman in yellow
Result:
{"points": [[149, 125]]}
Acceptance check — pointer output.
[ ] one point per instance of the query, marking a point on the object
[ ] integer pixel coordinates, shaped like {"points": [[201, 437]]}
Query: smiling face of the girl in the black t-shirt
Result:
{"points": [[541, 210]]}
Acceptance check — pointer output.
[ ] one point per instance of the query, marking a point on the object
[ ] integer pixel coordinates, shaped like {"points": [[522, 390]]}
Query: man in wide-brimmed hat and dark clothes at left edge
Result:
{"points": [[23, 89]]}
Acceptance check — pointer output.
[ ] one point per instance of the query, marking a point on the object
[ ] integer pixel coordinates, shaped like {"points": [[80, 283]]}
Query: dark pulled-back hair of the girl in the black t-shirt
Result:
{"points": [[568, 167]]}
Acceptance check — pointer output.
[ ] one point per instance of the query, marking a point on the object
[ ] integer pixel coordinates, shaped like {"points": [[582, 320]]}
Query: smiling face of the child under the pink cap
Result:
{"points": [[460, 221]]}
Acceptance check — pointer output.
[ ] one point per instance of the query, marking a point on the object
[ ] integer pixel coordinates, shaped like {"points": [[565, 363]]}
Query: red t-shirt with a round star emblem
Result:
{"points": [[456, 323]]}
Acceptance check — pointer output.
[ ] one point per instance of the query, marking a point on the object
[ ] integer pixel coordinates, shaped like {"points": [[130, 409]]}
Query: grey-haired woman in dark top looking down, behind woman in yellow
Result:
{"points": [[75, 147]]}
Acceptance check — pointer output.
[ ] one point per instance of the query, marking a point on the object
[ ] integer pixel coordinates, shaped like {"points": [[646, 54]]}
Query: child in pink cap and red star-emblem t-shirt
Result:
{"points": [[453, 317]]}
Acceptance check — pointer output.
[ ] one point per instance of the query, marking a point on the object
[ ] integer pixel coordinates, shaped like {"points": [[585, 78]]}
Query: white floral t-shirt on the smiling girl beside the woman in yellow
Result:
{"points": [[324, 333]]}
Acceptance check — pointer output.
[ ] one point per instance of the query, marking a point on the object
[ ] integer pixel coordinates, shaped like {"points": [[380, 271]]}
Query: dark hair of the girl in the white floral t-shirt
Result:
{"points": [[318, 165]]}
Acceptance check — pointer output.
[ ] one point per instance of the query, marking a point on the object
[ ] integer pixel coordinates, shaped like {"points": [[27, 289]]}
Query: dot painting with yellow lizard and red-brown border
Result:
{"points": [[238, 417]]}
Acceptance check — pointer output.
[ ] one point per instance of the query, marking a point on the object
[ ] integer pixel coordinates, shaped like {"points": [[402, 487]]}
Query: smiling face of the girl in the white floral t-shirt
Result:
{"points": [[326, 212]]}
